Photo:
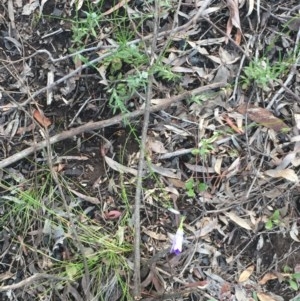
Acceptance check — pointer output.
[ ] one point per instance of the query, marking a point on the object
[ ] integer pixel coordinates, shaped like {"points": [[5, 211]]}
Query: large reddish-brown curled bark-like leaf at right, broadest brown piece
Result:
{"points": [[264, 117]]}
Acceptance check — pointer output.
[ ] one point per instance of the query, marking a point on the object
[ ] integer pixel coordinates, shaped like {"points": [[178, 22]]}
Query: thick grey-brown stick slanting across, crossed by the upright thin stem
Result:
{"points": [[91, 126]]}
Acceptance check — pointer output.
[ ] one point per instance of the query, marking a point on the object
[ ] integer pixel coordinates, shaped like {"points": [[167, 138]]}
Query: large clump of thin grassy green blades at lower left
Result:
{"points": [[38, 209]]}
